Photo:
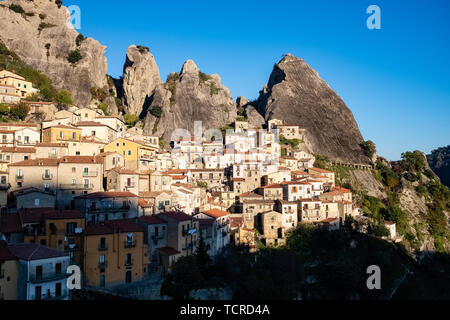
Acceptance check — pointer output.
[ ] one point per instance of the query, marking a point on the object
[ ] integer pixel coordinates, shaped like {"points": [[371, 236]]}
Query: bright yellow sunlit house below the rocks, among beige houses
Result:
{"points": [[136, 154]]}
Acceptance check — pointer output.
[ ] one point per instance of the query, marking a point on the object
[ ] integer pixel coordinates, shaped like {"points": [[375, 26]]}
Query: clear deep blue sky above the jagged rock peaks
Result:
{"points": [[395, 80]]}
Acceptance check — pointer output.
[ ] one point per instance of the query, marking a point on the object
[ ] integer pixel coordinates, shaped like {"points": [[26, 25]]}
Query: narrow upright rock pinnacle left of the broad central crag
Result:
{"points": [[140, 78]]}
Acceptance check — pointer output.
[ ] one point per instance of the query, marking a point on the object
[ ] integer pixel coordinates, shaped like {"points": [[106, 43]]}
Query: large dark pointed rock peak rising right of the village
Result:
{"points": [[296, 94]]}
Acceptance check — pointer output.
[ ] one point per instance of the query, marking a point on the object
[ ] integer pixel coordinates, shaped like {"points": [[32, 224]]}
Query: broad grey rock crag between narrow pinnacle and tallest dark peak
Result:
{"points": [[187, 97]]}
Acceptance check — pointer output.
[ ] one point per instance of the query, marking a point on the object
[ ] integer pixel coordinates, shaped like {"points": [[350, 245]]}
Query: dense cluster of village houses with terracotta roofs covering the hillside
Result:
{"points": [[80, 189]]}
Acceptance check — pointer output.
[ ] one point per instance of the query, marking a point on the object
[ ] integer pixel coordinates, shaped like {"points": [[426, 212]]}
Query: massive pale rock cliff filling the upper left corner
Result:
{"points": [[43, 38]]}
